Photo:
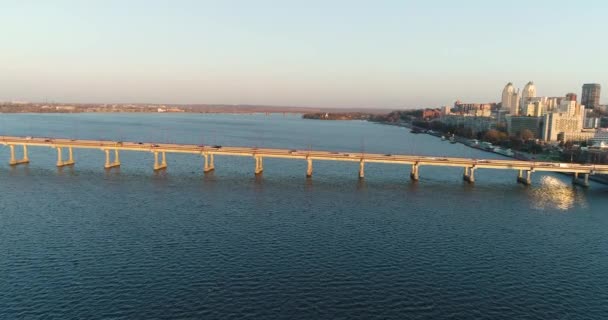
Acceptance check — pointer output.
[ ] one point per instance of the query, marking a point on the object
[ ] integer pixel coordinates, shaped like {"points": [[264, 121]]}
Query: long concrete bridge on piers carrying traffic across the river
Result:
{"points": [[580, 172]]}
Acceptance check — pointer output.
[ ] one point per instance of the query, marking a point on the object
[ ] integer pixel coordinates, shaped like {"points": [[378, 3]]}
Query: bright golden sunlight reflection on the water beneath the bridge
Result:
{"points": [[554, 193]]}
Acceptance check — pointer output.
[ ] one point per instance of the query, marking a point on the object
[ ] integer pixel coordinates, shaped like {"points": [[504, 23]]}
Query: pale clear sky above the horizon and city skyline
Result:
{"points": [[317, 53]]}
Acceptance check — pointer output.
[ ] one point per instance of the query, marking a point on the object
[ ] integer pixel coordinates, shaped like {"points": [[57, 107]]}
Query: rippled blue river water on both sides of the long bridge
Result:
{"points": [[87, 243]]}
